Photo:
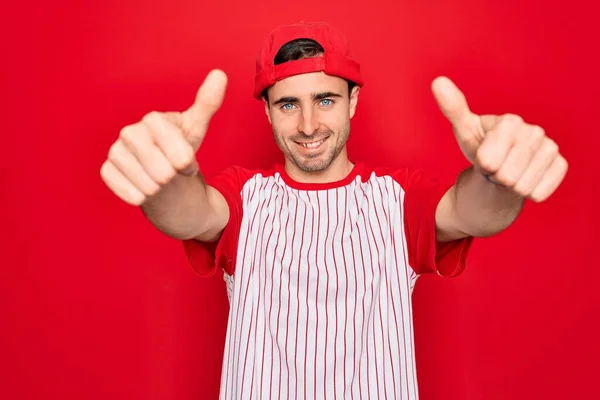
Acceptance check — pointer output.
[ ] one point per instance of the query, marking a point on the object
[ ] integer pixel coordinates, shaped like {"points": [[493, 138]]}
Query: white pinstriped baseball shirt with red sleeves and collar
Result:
{"points": [[319, 280]]}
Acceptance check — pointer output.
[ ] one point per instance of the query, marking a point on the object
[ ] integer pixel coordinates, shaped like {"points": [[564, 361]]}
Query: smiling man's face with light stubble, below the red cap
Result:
{"points": [[310, 115]]}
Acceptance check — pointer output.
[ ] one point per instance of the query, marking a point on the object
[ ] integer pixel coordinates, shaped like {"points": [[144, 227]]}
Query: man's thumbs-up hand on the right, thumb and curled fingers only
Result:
{"points": [[503, 148]]}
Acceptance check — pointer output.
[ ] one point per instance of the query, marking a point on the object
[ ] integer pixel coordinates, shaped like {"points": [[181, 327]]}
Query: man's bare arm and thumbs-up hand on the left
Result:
{"points": [[153, 165]]}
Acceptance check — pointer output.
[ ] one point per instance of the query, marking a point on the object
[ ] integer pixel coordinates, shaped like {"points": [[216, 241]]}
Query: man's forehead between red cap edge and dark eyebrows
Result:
{"points": [[305, 85]]}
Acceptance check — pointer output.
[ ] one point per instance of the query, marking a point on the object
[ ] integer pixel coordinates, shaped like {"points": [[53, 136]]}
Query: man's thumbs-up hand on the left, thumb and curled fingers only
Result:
{"points": [[151, 153]]}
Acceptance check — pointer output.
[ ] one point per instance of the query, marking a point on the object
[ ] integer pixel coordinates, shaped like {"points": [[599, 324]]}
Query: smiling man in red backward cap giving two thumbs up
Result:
{"points": [[320, 254]]}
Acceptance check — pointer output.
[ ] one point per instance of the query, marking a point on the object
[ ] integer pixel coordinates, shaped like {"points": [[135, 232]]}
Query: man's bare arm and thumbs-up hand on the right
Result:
{"points": [[511, 161]]}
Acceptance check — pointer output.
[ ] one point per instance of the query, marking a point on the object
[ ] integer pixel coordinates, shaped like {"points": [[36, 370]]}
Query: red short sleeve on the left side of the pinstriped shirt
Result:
{"points": [[207, 257]]}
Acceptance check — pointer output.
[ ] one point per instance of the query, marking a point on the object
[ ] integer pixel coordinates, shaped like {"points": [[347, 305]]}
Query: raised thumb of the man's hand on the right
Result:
{"points": [[453, 105]]}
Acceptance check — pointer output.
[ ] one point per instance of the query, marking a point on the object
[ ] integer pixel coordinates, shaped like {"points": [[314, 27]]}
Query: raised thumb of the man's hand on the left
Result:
{"points": [[209, 98]]}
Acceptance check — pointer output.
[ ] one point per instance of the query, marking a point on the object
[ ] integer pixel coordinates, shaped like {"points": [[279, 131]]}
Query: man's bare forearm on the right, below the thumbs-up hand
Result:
{"points": [[483, 208]]}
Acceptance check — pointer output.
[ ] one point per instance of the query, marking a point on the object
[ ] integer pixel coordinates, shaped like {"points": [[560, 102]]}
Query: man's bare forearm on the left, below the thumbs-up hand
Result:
{"points": [[182, 209]]}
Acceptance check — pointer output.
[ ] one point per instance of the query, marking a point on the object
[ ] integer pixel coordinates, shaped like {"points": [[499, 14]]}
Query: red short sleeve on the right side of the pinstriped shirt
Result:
{"points": [[422, 195]]}
